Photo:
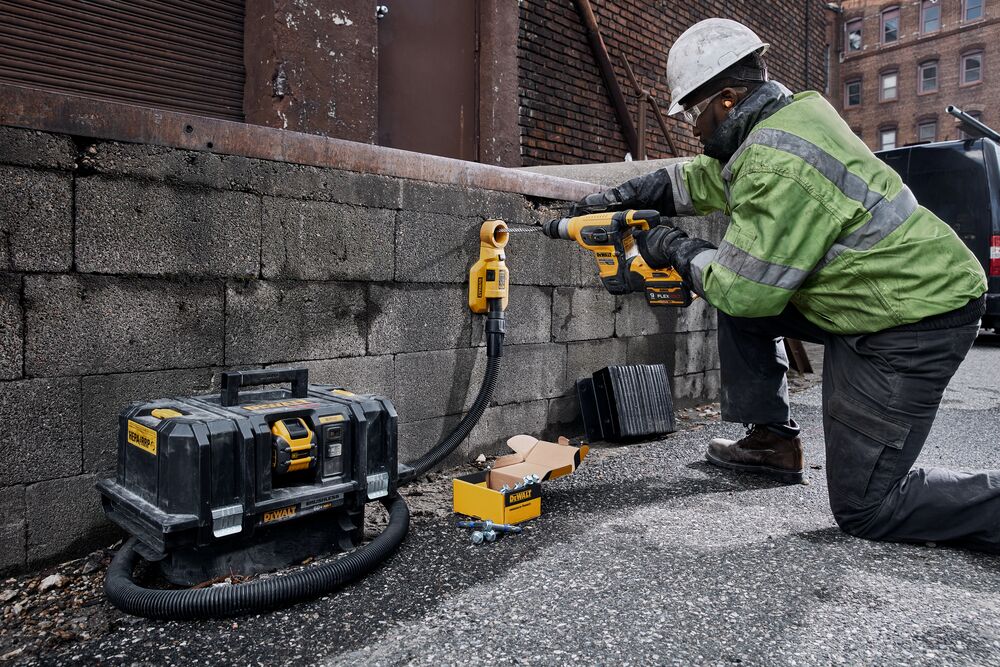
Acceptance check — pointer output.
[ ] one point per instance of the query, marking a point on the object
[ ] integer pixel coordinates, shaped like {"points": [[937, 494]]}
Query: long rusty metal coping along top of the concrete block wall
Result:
{"points": [[85, 117]]}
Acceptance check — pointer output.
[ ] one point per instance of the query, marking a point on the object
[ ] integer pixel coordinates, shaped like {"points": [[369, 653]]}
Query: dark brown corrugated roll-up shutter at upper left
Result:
{"points": [[182, 55]]}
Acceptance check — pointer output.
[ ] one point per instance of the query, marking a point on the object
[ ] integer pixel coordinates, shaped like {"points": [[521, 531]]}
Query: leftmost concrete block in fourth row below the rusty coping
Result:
{"points": [[41, 421]]}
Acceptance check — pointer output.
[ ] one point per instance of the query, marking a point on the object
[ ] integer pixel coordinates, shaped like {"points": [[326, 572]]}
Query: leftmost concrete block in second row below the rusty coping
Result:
{"points": [[36, 209]]}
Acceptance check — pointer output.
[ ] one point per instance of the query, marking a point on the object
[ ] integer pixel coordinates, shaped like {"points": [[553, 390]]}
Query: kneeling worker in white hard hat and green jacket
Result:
{"points": [[827, 245]]}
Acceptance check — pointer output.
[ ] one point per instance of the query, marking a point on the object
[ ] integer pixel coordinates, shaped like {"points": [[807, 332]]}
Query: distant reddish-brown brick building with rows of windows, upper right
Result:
{"points": [[901, 64]]}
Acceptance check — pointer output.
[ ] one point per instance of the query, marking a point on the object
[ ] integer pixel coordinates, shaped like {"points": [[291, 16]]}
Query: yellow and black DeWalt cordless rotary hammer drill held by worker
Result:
{"points": [[622, 269]]}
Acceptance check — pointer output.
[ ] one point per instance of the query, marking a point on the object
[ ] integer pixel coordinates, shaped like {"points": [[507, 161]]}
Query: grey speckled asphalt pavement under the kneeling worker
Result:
{"points": [[646, 555]]}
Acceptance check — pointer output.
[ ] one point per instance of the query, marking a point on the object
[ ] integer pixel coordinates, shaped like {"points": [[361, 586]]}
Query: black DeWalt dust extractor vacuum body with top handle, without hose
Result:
{"points": [[250, 481]]}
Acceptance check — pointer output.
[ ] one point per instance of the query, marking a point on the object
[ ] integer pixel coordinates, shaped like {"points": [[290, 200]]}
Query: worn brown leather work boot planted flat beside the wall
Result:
{"points": [[762, 451]]}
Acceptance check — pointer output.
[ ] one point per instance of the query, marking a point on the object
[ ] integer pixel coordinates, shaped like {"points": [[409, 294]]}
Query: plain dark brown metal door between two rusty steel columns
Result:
{"points": [[428, 77]]}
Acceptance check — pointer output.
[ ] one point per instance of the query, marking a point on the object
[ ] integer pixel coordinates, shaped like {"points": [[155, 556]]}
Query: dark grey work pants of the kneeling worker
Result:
{"points": [[880, 395]]}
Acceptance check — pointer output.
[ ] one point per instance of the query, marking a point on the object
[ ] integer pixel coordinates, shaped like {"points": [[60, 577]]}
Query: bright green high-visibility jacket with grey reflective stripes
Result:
{"points": [[819, 221]]}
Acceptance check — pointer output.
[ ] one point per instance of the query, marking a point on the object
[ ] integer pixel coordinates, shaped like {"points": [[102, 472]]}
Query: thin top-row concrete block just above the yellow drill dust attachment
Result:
{"points": [[422, 196]]}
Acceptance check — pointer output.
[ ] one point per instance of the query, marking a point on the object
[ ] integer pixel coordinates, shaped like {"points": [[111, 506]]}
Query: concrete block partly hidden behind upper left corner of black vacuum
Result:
{"points": [[105, 396]]}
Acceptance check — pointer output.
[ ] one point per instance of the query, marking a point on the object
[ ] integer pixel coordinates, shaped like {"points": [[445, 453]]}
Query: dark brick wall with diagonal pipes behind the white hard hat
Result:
{"points": [[565, 114]]}
